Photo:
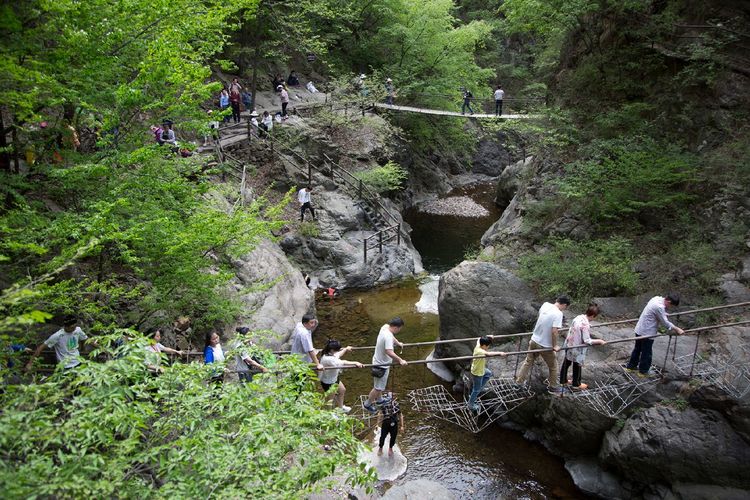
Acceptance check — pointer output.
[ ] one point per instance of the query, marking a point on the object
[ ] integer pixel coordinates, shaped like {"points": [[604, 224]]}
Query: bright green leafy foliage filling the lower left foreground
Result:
{"points": [[114, 430]]}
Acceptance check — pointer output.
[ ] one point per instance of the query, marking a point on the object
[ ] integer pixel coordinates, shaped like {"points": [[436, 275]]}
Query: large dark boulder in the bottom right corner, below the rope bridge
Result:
{"points": [[662, 444]]}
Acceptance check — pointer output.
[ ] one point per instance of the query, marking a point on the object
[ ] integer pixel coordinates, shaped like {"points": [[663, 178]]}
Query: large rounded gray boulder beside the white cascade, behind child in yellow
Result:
{"points": [[478, 298]]}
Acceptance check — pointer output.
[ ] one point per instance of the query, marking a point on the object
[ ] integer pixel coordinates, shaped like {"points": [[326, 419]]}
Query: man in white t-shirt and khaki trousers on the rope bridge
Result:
{"points": [[545, 334]]}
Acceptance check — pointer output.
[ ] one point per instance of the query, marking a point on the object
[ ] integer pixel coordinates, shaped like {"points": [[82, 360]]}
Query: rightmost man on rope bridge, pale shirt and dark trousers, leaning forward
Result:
{"points": [[653, 314]]}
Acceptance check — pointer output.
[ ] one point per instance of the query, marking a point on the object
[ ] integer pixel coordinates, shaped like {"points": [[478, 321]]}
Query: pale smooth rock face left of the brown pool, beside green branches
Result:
{"points": [[279, 307]]}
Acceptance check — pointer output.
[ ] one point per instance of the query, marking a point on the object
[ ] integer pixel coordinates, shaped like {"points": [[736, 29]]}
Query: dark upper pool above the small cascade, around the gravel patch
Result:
{"points": [[442, 240]]}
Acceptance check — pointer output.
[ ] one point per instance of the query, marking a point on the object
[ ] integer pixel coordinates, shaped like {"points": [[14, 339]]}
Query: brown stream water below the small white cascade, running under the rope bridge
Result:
{"points": [[493, 464]]}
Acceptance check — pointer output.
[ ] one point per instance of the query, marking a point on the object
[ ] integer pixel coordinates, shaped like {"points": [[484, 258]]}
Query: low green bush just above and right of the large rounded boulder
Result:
{"points": [[582, 269]]}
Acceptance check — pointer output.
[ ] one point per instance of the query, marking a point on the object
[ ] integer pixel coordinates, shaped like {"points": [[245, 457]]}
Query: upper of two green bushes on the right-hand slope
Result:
{"points": [[629, 179]]}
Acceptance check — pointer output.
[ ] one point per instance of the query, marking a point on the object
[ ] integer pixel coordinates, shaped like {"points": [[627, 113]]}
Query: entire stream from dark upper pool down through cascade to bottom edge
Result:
{"points": [[495, 463]]}
